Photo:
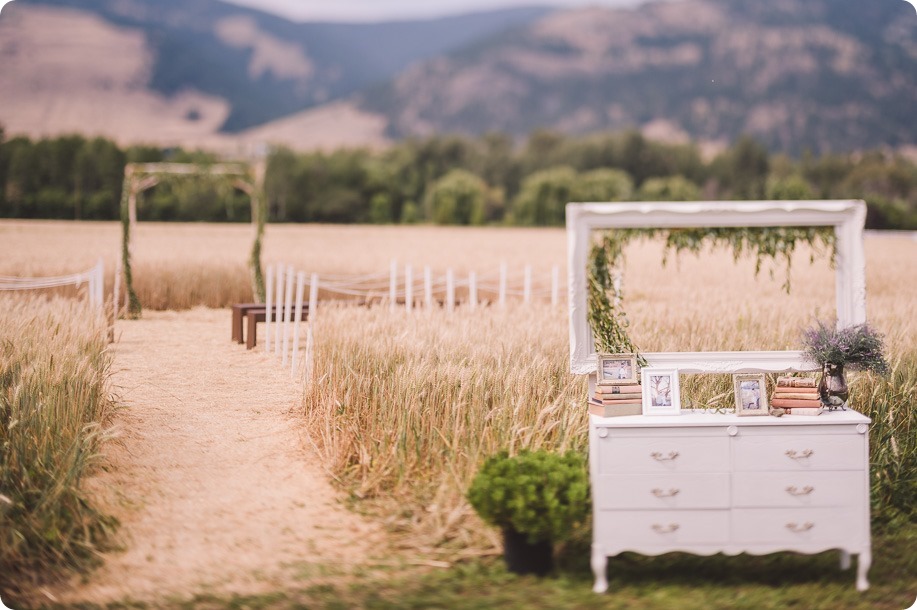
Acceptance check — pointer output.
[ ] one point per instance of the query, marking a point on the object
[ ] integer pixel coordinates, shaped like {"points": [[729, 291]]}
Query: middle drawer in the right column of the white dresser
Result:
{"points": [[792, 489]]}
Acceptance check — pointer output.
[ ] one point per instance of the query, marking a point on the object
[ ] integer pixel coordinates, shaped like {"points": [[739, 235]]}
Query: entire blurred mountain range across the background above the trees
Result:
{"points": [[797, 74]]}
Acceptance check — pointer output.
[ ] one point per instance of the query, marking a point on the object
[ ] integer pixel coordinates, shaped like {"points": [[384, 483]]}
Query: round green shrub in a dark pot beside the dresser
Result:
{"points": [[536, 498]]}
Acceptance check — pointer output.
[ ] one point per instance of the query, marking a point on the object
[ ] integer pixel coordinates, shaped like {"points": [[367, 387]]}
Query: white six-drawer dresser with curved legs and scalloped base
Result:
{"points": [[709, 484]]}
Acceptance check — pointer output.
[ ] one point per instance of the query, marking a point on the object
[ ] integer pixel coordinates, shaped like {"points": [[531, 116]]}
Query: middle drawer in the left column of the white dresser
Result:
{"points": [[661, 491]]}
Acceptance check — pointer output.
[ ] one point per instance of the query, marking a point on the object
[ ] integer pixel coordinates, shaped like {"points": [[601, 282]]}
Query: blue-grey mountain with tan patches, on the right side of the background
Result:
{"points": [[797, 74]]}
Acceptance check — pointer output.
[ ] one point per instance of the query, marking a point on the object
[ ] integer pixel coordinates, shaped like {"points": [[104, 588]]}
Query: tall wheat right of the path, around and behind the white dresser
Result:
{"points": [[405, 407]]}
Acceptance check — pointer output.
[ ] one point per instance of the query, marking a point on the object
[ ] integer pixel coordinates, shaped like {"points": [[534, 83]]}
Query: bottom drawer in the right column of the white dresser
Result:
{"points": [[796, 527]]}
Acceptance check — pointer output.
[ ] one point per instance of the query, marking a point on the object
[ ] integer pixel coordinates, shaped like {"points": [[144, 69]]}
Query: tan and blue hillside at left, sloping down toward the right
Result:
{"points": [[178, 70]]}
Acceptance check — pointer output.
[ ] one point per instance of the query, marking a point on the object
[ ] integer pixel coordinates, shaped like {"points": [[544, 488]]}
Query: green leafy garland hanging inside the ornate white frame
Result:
{"points": [[605, 295]]}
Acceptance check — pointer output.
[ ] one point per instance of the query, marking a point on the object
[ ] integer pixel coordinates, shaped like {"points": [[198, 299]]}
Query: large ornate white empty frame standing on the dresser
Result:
{"points": [[846, 216]]}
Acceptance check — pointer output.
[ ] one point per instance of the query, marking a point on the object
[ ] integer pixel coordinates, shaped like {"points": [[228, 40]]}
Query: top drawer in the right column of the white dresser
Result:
{"points": [[799, 452]]}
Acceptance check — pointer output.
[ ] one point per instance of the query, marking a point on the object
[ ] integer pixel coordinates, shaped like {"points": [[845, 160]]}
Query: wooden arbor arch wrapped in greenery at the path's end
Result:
{"points": [[139, 177]]}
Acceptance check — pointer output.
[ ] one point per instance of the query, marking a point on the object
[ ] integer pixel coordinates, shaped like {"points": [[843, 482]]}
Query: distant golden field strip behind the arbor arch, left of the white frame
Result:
{"points": [[178, 266]]}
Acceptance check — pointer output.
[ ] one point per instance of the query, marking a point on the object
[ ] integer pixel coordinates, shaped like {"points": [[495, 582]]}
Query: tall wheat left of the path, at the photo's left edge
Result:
{"points": [[54, 401]]}
